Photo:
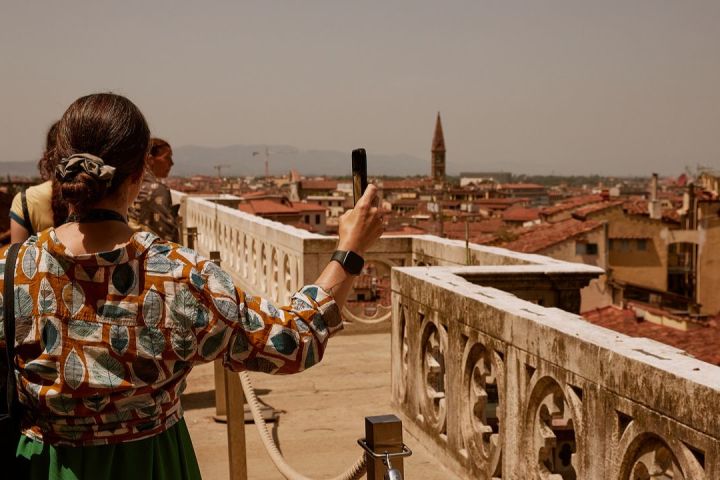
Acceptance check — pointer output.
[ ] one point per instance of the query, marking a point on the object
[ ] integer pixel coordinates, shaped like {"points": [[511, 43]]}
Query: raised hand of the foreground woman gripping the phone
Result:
{"points": [[360, 227]]}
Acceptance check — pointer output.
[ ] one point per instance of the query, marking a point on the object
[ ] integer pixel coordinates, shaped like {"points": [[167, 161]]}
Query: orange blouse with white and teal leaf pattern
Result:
{"points": [[104, 342]]}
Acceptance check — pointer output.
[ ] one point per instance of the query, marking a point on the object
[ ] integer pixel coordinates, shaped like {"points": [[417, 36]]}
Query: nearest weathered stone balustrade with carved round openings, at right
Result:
{"points": [[501, 387]]}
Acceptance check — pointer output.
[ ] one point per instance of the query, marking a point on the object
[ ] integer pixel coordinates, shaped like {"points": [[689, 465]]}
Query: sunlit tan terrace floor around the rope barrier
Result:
{"points": [[322, 414]]}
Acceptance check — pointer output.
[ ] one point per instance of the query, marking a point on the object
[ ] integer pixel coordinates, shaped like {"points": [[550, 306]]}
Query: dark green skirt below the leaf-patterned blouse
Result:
{"points": [[168, 455]]}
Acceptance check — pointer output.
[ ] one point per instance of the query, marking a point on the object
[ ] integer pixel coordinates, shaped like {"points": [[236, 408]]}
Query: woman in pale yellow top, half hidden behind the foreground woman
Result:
{"points": [[41, 206]]}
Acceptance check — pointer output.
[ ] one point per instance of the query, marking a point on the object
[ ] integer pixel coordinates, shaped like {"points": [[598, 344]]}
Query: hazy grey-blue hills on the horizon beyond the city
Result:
{"points": [[198, 160]]}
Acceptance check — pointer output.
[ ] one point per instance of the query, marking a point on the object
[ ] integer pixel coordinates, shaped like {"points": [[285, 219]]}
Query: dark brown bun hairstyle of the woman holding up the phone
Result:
{"points": [[108, 126]]}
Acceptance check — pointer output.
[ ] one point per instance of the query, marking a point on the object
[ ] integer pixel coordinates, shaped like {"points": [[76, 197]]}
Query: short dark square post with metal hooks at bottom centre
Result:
{"points": [[383, 433]]}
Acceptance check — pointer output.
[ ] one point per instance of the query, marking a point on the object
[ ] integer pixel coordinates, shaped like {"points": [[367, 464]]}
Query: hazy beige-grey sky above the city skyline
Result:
{"points": [[601, 86]]}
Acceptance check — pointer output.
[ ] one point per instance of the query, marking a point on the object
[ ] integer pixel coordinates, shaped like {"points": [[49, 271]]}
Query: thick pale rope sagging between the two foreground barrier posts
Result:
{"points": [[353, 473]]}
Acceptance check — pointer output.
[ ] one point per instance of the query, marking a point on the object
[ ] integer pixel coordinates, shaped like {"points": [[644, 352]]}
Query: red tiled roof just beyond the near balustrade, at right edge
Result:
{"points": [[699, 341]]}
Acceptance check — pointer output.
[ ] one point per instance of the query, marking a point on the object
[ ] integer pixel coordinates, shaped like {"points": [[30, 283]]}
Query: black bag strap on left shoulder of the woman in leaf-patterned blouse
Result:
{"points": [[9, 324]]}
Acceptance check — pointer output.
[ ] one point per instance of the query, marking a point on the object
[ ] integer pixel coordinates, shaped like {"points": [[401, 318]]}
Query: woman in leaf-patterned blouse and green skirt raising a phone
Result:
{"points": [[109, 322]]}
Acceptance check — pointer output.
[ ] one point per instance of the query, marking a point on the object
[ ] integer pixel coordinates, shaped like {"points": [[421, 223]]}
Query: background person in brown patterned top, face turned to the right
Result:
{"points": [[153, 209]]}
